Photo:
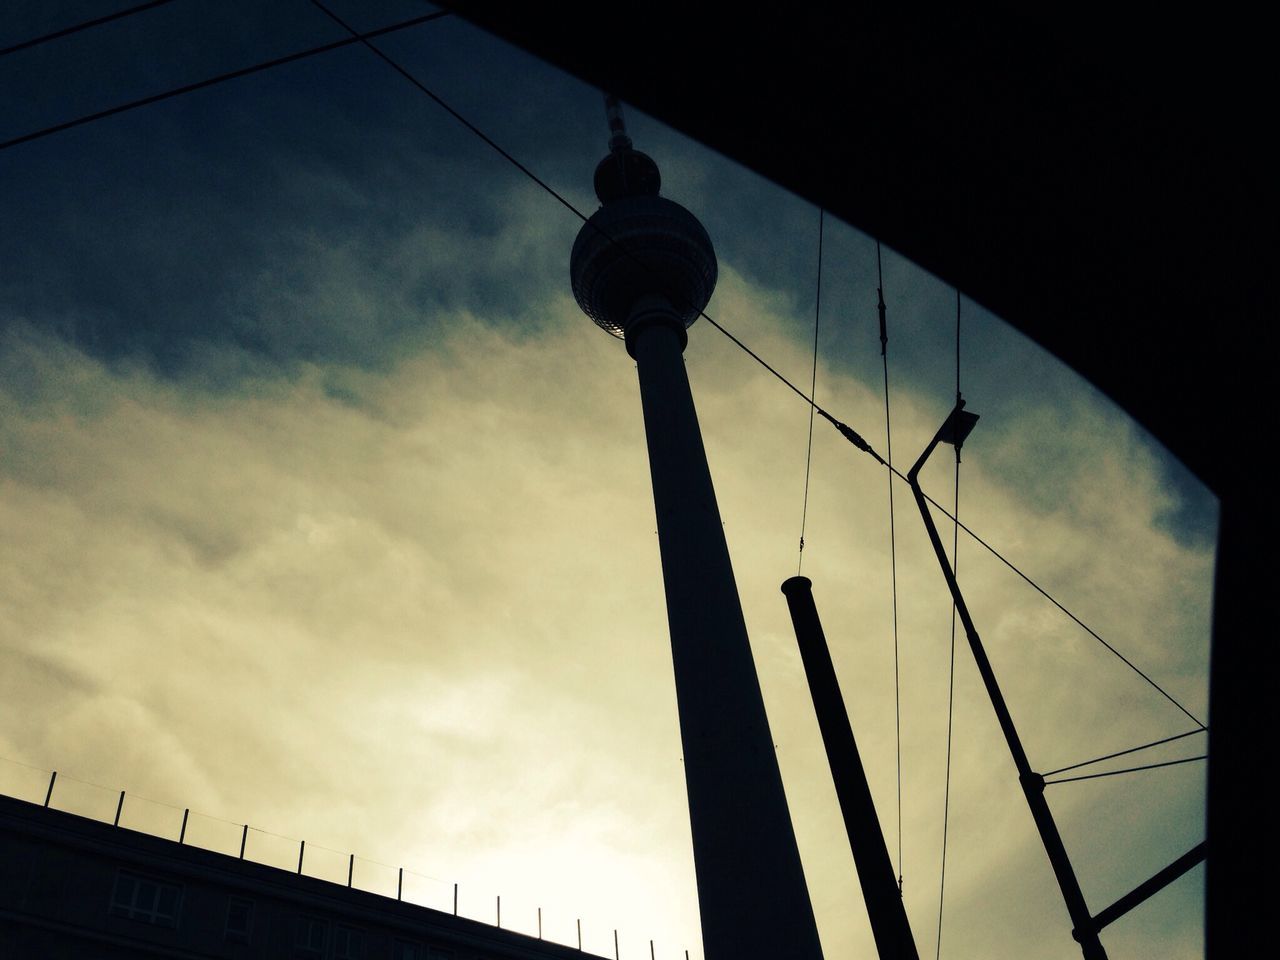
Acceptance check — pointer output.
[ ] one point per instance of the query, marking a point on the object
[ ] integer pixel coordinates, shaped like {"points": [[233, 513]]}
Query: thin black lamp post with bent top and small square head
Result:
{"points": [[1086, 931]]}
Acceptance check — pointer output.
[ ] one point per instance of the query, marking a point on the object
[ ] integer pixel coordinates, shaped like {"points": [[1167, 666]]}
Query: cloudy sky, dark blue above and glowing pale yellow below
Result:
{"points": [[326, 510]]}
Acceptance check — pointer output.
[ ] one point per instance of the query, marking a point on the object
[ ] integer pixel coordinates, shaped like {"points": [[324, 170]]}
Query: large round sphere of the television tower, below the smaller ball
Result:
{"points": [[642, 246]]}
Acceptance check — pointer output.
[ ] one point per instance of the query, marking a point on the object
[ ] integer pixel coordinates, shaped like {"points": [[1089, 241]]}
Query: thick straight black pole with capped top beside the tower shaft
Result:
{"points": [[884, 899]]}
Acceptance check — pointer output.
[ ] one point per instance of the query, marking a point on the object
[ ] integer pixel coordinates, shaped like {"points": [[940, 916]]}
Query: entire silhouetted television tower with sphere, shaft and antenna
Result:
{"points": [[643, 269]]}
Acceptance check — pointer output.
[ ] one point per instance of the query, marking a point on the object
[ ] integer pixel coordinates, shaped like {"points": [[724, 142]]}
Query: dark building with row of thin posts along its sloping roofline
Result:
{"points": [[75, 889]]}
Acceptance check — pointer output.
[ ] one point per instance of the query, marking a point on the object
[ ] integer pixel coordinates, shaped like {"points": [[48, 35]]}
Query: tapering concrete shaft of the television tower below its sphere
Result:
{"points": [[752, 892]]}
